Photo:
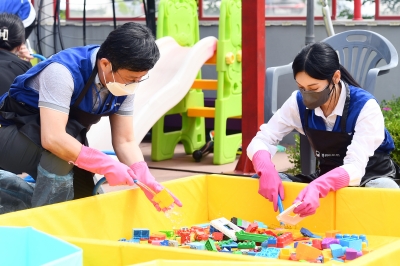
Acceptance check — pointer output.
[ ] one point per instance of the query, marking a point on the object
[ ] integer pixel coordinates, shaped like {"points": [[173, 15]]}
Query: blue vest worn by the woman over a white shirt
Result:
{"points": [[358, 98]]}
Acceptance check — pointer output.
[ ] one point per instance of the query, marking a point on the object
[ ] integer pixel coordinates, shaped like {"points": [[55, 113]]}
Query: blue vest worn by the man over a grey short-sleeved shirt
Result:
{"points": [[77, 61]]}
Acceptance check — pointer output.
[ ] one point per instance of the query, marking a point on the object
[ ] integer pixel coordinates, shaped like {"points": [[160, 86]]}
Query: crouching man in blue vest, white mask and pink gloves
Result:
{"points": [[48, 110]]}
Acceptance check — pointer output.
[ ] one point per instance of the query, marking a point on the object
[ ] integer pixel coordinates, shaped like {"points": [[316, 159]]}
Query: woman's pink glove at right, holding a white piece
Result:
{"points": [[319, 188]]}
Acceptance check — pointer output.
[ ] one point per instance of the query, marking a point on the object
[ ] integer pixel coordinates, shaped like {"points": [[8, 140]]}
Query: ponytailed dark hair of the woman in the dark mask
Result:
{"points": [[320, 61]]}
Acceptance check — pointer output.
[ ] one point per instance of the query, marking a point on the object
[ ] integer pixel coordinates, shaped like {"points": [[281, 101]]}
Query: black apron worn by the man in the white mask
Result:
{"points": [[27, 120]]}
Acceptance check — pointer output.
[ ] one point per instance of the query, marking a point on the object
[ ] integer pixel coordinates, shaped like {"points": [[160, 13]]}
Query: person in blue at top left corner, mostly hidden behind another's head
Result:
{"points": [[26, 12]]}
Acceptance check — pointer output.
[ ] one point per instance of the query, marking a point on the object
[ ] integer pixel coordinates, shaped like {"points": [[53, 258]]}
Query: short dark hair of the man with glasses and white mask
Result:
{"points": [[130, 46]]}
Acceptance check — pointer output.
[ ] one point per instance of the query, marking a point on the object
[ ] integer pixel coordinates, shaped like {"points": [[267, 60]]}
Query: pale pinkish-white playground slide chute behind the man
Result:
{"points": [[169, 82]]}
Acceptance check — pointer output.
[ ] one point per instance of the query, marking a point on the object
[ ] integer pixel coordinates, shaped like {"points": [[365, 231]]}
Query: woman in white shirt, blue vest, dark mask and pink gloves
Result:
{"points": [[343, 123]]}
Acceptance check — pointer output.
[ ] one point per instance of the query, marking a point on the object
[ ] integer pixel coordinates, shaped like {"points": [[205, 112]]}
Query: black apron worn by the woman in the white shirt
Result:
{"points": [[330, 149]]}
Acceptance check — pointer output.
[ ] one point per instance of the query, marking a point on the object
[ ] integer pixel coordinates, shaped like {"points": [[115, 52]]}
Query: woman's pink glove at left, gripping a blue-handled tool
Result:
{"points": [[270, 184]]}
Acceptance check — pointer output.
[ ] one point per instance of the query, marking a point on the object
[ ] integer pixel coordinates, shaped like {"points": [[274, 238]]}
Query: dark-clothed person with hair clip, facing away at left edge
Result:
{"points": [[12, 38]]}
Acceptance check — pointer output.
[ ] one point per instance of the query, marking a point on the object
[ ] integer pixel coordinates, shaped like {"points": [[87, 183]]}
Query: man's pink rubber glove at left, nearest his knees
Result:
{"points": [[95, 161]]}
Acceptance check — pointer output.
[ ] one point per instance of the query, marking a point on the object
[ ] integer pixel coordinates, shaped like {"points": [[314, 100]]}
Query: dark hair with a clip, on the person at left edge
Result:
{"points": [[11, 24]]}
